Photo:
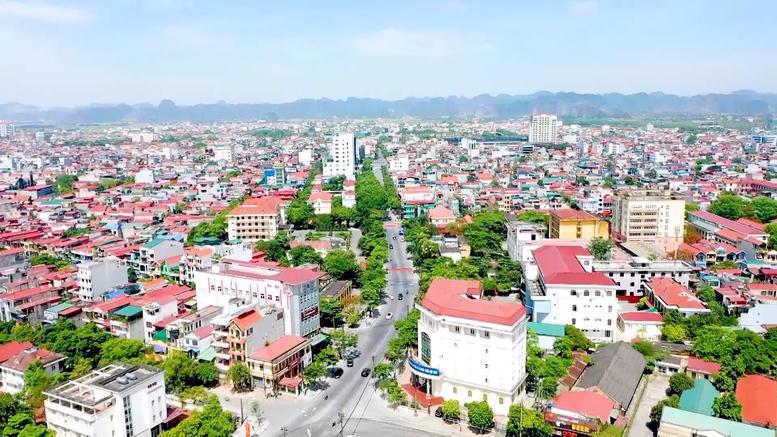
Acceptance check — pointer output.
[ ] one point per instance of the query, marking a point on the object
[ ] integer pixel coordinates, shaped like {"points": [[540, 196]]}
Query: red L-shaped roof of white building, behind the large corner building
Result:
{"points": [[559, 265]]}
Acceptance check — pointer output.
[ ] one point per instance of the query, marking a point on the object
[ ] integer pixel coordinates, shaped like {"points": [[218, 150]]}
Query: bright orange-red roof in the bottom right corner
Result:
{"points": [[757, 394]]}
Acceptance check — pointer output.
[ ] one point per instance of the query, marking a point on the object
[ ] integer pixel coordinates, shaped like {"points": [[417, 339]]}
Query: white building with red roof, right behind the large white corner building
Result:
{"points": [[562, 288]]}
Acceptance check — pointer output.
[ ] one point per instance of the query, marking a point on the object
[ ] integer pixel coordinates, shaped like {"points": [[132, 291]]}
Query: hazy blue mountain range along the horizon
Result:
{"points": [[743, 102]]}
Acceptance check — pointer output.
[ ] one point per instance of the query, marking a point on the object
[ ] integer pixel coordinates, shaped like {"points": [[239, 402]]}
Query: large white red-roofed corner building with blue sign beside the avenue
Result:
{"points": [[470, 349]]}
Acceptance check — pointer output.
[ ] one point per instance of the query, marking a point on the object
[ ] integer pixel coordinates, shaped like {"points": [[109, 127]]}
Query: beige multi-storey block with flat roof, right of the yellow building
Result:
{"points": [[653, 217]]}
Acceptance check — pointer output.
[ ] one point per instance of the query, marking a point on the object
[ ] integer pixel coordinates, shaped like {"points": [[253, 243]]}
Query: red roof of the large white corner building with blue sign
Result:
{"points": [[450, 297]]}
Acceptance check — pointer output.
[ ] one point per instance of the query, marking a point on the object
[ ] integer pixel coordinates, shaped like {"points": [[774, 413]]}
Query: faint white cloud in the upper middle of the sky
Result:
{"points": [[393, 42]]}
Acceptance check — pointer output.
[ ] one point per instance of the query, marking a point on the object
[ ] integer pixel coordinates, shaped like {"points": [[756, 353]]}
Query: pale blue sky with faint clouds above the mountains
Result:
{"points": [[69, 53]]}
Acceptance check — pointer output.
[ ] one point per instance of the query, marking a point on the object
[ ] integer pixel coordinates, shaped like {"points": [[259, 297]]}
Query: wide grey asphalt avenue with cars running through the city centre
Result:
{"points": [[351, 395]]}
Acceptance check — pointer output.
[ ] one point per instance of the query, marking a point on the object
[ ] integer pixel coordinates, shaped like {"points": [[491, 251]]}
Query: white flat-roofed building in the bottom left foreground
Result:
{"points": [[115, 400]]}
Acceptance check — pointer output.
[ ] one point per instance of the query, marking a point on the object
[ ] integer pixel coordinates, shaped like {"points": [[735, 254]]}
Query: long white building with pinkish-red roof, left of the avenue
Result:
{"points": [[294, 289]]}
